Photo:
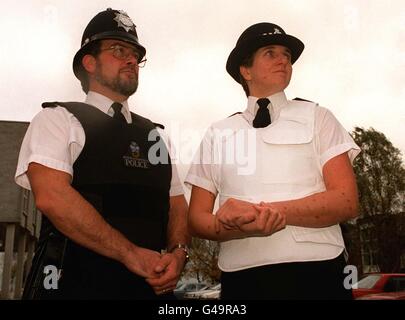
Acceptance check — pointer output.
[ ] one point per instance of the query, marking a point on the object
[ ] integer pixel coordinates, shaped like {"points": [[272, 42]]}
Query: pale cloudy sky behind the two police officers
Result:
{"points": [[353, 62]]}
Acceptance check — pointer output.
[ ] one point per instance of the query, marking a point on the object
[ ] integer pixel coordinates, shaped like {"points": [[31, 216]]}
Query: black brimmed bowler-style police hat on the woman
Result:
{"points": [[257, 36]]}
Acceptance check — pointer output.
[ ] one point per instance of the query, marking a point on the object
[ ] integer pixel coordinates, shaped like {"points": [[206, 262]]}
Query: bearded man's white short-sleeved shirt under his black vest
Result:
{"points": [[55, 138]]}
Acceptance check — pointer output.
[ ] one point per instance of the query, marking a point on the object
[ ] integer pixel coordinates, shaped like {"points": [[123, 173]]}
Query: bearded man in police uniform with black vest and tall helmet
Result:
{"points": [[101, 175]]}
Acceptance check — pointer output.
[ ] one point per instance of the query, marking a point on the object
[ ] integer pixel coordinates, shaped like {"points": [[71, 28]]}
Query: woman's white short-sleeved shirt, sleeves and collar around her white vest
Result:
{"points": [[331, 139]]}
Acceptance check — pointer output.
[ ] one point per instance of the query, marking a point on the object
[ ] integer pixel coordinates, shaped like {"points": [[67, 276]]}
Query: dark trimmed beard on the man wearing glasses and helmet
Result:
{"points": [[125, 87]]}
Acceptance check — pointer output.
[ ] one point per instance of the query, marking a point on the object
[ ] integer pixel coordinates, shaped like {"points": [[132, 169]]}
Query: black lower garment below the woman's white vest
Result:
{"points": [[315, 280]]}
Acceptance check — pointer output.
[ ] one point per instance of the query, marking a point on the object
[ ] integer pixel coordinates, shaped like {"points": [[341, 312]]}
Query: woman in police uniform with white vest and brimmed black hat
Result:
{"points": [[282, 171]]}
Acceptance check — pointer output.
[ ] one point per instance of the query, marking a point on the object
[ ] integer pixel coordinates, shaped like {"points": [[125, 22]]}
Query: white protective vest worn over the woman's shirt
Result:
{"points": [[287, 167]]}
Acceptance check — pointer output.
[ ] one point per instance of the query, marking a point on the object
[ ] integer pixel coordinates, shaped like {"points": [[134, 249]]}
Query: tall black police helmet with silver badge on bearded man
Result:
{"points": [[108, 24]]}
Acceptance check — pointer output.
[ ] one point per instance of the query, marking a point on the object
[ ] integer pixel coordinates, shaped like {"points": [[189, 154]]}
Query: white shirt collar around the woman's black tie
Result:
{"points": [[277, 101]]}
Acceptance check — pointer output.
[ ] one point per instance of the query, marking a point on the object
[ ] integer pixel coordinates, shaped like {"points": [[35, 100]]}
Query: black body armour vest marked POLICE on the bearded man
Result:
{"points": [[113, 173]]}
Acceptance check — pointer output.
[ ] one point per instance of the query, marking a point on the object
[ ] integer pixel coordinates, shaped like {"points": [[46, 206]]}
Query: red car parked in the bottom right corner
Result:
{"points": [[379, 283]]}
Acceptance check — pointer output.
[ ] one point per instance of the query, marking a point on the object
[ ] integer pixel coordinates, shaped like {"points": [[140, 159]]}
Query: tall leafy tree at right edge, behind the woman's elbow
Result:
{"points": [[381, 183]]}
